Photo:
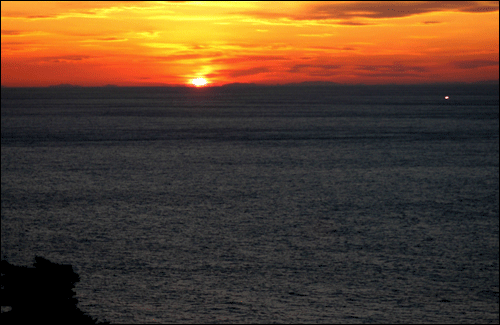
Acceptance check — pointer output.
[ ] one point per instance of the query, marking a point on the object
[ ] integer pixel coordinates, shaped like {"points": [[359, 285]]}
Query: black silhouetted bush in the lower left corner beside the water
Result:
{"points": [[41, 294]]}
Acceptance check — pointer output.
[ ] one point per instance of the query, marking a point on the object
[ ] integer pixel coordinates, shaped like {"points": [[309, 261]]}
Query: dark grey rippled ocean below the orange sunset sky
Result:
{"points": [[252, 204]]}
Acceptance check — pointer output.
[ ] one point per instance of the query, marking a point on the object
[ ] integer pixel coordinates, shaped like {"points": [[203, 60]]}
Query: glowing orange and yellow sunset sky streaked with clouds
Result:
{"points": [[166, 43]]}
